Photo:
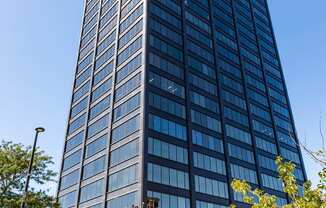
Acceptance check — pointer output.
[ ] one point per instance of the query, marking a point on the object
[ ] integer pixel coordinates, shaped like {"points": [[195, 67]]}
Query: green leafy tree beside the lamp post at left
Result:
{"points": [[14, 160]]}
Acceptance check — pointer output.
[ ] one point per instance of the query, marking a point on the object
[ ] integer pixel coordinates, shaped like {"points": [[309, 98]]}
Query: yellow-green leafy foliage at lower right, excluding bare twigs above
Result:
{"points": [[310, 198]]}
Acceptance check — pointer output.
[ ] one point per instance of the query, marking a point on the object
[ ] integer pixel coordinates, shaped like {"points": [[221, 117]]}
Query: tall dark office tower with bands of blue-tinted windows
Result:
{"points": [[173, 99]]}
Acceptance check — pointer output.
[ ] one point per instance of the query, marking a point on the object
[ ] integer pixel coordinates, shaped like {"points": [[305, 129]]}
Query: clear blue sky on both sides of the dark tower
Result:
{"points": [[39, 39]]}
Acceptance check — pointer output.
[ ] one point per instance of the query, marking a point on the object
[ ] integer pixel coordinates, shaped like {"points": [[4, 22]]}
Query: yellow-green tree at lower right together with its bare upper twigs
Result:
{"points": [[311, 197]]}
